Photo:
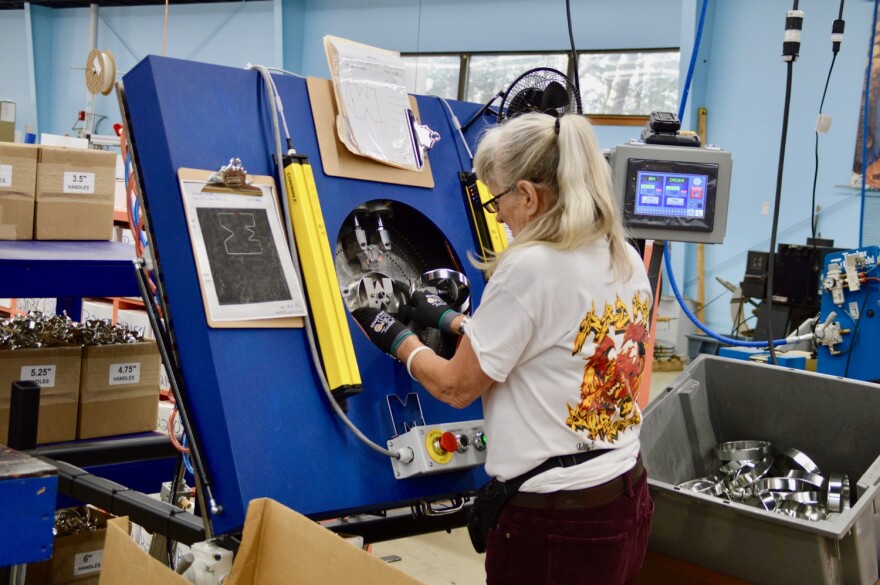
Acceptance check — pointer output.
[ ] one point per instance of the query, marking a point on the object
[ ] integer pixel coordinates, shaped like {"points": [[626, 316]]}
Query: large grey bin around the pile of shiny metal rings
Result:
{"points": [[835, 421]]}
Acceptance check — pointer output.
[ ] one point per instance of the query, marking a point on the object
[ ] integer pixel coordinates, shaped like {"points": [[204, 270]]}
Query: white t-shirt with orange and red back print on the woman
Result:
{"points": [[565, 345]]}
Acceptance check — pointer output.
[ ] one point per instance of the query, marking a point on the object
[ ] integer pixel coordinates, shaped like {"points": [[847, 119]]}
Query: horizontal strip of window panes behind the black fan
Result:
{"points": [[627, 85]]}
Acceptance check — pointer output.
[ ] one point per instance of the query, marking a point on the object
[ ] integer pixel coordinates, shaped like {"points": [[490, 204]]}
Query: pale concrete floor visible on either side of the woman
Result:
{"points": [[448, 558]]}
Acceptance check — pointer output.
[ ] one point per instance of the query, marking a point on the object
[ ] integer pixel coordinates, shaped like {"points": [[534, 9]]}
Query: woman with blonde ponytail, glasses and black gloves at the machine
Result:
{"points": [[556, 351]]}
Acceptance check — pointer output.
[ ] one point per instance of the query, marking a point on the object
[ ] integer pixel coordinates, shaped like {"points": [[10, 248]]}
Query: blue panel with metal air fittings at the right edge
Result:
{"points": [[851, 289]]}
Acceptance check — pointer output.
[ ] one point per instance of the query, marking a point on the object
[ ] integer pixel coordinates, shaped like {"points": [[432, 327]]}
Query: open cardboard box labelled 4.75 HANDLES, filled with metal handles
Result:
{"points": [[119, 390]]}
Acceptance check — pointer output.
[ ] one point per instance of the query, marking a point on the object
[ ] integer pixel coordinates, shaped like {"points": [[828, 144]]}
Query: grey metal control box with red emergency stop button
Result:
{"points": [[439, 448]]}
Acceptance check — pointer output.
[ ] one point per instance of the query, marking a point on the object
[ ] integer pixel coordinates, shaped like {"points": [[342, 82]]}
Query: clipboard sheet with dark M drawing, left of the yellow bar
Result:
{"points": [[244, 266]]}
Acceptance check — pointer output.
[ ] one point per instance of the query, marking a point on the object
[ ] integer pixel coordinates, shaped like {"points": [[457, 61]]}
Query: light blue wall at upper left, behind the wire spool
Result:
{"points": [[224, 33]]}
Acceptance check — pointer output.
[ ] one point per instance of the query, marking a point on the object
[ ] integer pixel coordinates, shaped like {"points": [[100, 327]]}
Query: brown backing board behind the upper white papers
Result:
{"points": [[338, 161]]}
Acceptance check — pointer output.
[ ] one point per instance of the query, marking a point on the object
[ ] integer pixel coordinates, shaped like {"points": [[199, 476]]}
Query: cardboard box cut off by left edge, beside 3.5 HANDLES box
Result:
{"points": [[18, 178]]}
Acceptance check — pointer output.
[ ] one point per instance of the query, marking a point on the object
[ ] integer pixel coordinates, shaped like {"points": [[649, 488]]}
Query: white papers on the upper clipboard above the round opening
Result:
{"points": [[374, 118]]}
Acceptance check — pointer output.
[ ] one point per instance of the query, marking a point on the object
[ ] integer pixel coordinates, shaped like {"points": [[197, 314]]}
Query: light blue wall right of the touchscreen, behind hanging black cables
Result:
{"points": [[744, 93]]}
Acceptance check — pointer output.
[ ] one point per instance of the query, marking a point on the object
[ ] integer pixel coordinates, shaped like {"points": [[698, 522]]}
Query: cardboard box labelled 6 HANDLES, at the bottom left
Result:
{"points": [[76, 559]]}
